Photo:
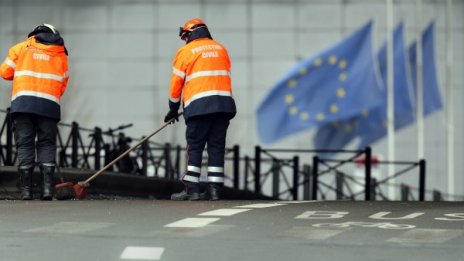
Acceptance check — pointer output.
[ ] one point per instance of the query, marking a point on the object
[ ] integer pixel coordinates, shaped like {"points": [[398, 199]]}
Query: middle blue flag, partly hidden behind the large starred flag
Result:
{"points": [[370, 125]]}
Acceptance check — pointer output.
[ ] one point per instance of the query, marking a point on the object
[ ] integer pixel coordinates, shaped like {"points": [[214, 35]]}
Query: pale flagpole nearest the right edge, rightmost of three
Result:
{"points": [[449, 97]]}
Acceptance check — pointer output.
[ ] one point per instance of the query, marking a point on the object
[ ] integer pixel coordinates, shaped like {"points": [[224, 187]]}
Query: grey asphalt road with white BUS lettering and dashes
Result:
{"points": [[230, 230]]}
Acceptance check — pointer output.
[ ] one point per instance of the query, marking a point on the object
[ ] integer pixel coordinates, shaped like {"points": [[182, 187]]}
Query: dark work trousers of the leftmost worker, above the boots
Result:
{"points": [[35, 138]]}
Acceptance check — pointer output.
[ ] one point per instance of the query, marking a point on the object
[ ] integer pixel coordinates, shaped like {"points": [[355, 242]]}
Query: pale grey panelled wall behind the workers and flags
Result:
{"points": [[121, 51]]}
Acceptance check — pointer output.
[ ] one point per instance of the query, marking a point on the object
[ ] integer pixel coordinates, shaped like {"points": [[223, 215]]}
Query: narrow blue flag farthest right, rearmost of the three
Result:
{"points": [[432, 97]]}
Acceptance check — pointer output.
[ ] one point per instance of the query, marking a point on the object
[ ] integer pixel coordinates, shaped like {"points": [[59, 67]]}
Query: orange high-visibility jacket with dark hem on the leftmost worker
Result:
{"points": [[40, 75]]}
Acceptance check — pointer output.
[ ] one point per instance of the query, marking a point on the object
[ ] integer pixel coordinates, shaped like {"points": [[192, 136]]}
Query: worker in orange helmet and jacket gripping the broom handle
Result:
{"points": [[201, 79]]}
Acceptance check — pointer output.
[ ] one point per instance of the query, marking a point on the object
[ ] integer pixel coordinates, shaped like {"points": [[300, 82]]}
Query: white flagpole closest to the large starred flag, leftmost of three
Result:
{"points": [[390, 100]]}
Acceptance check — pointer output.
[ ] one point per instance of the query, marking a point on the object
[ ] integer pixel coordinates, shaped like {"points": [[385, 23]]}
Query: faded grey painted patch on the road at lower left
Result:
{"points": [[70, 227]]}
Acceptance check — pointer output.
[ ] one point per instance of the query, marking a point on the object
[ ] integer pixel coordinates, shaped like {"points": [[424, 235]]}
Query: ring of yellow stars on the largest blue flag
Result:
{"points": [[341, 93]]}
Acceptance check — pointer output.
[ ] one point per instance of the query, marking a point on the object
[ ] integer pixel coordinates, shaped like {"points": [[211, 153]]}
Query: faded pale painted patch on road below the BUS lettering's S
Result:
{"points": [[420, 236]]}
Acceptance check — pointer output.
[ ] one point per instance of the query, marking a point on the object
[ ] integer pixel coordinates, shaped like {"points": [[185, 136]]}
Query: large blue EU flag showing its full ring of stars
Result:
{"points": [[334, 84]]}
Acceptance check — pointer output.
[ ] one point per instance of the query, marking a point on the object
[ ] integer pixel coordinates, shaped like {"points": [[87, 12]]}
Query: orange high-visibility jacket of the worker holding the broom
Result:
{"points": [[201, 76]]}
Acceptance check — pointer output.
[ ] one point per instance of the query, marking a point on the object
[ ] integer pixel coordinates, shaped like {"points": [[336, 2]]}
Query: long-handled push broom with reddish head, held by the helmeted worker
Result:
{"points": [[80, 188]]}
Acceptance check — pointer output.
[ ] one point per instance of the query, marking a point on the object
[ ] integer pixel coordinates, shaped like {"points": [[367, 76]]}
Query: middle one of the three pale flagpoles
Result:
{"points": [[420, 83]]}
